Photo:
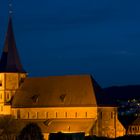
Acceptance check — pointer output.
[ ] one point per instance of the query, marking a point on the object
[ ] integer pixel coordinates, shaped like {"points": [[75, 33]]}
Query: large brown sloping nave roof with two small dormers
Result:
{"points": [[56, 91]]}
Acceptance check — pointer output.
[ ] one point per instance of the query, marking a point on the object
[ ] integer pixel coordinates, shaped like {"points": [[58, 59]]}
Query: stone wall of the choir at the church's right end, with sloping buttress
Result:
{"points": [[107, 124]]}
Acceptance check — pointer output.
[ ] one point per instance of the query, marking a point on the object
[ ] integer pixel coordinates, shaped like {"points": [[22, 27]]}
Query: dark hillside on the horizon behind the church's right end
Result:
{"points": [[110, 95]]}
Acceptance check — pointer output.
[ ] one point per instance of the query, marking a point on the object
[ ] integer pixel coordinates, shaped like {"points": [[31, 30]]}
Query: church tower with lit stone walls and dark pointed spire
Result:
{"points": [[12, 73]]}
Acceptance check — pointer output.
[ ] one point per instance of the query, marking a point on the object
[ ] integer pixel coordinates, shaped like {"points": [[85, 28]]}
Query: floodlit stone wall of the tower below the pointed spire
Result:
{"points": [[9, 82]]}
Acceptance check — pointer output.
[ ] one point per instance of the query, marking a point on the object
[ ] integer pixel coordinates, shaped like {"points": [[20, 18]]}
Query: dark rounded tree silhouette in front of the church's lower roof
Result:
{"points": [[30, 132]]}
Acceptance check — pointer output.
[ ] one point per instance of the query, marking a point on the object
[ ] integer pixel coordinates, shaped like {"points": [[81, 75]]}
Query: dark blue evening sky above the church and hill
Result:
{"points": [[60, 37]]}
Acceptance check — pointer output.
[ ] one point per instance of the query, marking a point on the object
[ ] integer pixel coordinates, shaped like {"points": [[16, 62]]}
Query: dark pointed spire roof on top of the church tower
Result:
{"points": [[10, 61]]}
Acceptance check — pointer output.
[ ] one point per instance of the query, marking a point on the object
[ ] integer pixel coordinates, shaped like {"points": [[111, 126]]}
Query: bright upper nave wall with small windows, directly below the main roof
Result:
{"points": [[56, 112]]}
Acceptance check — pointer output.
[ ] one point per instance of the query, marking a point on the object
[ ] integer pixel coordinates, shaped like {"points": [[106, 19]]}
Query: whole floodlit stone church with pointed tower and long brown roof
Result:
{"points": [[67, 104]]}
